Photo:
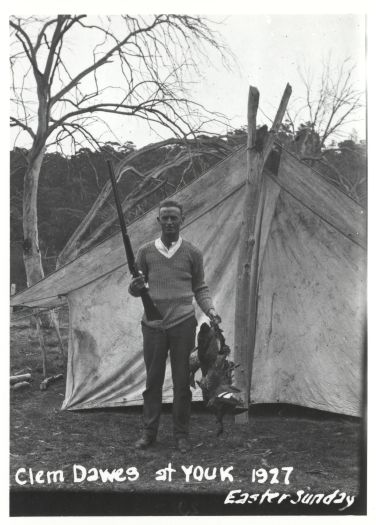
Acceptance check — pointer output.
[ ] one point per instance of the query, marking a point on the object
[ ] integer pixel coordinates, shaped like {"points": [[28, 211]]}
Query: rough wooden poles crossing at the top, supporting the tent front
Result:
{"points": [[247, 274]]}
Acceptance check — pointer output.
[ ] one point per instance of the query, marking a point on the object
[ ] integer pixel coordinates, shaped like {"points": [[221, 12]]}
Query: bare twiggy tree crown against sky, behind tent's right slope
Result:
{"points": [[327, 105]]}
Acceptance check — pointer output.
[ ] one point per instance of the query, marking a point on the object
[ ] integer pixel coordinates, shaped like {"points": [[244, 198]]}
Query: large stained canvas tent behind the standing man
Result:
{"points": [[311, 292]]}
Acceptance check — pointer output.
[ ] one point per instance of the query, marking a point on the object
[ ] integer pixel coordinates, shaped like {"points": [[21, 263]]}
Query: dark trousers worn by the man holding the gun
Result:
{"points": [[180, 340]]}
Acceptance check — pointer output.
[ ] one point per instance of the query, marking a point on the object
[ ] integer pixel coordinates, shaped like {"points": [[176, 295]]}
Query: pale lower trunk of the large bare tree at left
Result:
{"points": [[31, 254]]}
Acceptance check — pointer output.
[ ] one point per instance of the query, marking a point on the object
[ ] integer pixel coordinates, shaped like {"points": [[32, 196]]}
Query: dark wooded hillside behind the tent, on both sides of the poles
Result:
{"points": [[70, 185]]}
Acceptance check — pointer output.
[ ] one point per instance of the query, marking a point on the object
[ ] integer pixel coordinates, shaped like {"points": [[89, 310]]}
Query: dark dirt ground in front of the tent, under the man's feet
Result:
{"points": [[323, 449]]}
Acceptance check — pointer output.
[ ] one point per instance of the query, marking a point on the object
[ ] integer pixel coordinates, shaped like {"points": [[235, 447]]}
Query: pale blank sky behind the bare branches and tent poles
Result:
{"points": [[269, 50]]}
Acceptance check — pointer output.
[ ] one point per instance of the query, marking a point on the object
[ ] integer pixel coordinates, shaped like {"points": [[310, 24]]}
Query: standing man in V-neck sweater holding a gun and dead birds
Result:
{"points": [[173, 270]]}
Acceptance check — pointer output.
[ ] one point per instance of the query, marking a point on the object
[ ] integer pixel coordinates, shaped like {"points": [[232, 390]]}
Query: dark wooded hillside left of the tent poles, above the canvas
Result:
{"points": [[70, 185]]}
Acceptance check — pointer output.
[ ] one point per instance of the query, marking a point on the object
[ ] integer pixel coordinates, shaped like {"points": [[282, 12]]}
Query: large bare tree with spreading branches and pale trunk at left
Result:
{"points": [[54, 102]]}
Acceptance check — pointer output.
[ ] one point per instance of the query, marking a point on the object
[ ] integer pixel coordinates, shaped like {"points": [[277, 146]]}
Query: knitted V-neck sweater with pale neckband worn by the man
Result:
{"points": [[174, 281]]}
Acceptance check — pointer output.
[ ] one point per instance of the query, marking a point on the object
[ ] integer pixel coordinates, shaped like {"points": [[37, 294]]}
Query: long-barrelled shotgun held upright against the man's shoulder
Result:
{"points": [[151, 311]]}
